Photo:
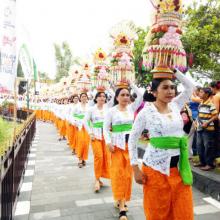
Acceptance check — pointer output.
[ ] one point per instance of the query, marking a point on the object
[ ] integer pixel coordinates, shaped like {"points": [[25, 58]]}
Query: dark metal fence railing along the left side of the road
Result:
{"points": [[12, 167]]}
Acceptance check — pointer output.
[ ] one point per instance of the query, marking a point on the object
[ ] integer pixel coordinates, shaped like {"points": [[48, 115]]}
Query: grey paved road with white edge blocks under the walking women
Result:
{"points": [[55, 188]]}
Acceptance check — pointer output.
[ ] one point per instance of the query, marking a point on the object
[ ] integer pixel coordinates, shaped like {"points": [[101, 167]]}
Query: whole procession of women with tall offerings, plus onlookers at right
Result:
{"points": [[104, 109]]}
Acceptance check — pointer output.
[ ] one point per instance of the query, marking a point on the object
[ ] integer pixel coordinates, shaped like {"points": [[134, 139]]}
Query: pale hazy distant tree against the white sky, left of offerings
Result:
{"points": [[64, 60]]}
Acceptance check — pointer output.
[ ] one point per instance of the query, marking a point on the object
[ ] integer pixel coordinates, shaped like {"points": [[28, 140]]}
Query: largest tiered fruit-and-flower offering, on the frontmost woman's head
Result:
{"points": [[163, 48]]}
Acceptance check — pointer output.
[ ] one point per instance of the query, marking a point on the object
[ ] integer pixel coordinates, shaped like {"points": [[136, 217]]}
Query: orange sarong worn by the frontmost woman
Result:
{"points": [[166, 197]]}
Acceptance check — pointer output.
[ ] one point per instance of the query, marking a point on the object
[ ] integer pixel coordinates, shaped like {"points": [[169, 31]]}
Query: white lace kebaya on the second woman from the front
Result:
{"points": [[117, 117]]}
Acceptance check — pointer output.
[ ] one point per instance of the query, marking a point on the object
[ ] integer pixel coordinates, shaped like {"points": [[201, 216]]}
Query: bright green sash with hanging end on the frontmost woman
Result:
{"points": [[175, 143]]}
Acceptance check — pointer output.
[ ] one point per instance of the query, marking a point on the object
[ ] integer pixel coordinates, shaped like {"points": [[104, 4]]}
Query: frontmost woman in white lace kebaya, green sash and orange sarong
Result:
{"points": [[167, 189]]}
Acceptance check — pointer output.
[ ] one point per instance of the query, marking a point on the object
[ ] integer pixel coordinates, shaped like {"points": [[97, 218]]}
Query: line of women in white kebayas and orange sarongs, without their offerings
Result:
{"points": [[165, 175]]}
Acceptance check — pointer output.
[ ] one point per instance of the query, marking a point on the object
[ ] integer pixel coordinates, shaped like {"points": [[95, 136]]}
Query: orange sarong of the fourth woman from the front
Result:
{"points": [[82, 144]]}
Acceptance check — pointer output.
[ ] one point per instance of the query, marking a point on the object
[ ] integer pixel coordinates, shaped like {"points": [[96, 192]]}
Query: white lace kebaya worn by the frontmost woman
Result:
{"points": [[160, 125]]}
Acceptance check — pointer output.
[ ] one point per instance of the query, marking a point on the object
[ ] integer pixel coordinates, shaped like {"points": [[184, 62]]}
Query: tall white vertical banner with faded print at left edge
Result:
{"points": [[8, 69]]}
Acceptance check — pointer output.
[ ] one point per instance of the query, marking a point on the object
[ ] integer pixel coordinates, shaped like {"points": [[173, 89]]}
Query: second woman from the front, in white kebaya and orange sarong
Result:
{"points": [[117, 126]]}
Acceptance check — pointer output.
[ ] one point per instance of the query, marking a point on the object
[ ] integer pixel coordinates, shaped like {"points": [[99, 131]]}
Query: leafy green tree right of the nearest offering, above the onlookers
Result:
{"points": [[202, 38]]}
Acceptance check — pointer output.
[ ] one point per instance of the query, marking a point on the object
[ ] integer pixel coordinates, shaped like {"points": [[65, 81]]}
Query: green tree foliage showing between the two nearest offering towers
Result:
{"points": [[142, 75]]}
